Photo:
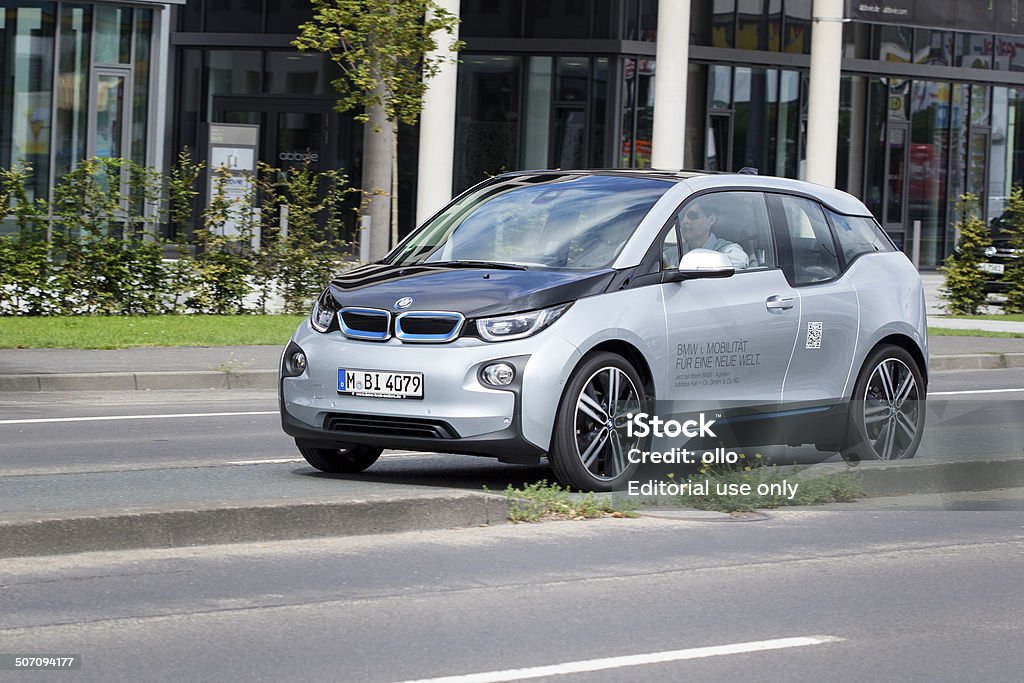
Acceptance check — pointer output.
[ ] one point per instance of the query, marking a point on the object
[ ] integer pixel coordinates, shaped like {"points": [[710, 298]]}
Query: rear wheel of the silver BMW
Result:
{"points": [[887, 414]]}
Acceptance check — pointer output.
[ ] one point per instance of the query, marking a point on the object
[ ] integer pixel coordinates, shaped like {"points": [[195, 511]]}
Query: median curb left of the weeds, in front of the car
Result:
{"points": [[176, 529]]}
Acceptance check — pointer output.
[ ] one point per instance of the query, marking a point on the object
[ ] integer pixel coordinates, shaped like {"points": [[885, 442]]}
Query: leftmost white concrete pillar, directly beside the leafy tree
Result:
{"points": [[438, 130]]}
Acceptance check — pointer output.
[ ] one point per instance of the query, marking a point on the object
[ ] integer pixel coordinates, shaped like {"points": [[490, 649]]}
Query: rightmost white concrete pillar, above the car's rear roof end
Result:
{"points": [[823, 113]]}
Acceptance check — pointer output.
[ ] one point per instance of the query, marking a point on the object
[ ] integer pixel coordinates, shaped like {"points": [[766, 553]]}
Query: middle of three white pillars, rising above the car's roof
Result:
{"points": [[670, 84]]}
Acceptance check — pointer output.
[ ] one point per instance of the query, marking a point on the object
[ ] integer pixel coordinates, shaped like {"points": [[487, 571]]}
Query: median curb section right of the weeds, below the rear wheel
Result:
{"points": [[907, 478]]}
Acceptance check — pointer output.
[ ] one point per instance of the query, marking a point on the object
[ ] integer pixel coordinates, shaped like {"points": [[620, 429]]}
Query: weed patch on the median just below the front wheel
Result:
{"points": [[537, 502]]}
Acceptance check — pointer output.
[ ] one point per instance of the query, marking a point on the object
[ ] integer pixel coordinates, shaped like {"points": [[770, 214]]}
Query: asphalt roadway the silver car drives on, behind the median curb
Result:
{"points": [[242, 426]]}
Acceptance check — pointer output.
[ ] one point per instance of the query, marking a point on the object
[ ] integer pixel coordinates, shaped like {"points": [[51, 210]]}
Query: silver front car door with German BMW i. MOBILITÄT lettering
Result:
{"points": [[730, 340]]}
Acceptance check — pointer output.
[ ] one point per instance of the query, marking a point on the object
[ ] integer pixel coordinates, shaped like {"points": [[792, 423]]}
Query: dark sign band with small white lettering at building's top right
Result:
{"points": [[1005, 17]]}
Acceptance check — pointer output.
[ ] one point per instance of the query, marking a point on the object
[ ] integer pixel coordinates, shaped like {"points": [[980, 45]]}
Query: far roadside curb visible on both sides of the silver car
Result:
{"points": [[268, 379]]}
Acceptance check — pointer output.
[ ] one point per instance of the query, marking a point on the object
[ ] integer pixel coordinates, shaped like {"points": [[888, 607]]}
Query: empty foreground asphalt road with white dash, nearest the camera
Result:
{"points": [[873, 597]]}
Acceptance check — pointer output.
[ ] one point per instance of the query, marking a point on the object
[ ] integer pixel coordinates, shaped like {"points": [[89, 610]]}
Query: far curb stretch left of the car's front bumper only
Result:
{"points": [[240, 379]]}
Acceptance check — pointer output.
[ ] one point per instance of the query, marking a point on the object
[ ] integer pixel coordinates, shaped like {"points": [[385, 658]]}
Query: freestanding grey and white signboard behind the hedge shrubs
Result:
{"points": [[234, 147]]}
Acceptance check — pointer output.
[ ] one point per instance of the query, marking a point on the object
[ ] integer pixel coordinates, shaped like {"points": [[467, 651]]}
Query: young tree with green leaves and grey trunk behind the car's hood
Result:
{"points": [[386, 50]]}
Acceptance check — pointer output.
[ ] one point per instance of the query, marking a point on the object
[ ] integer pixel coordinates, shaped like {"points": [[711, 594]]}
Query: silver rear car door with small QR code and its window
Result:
{"points": [[821, 369]]}
